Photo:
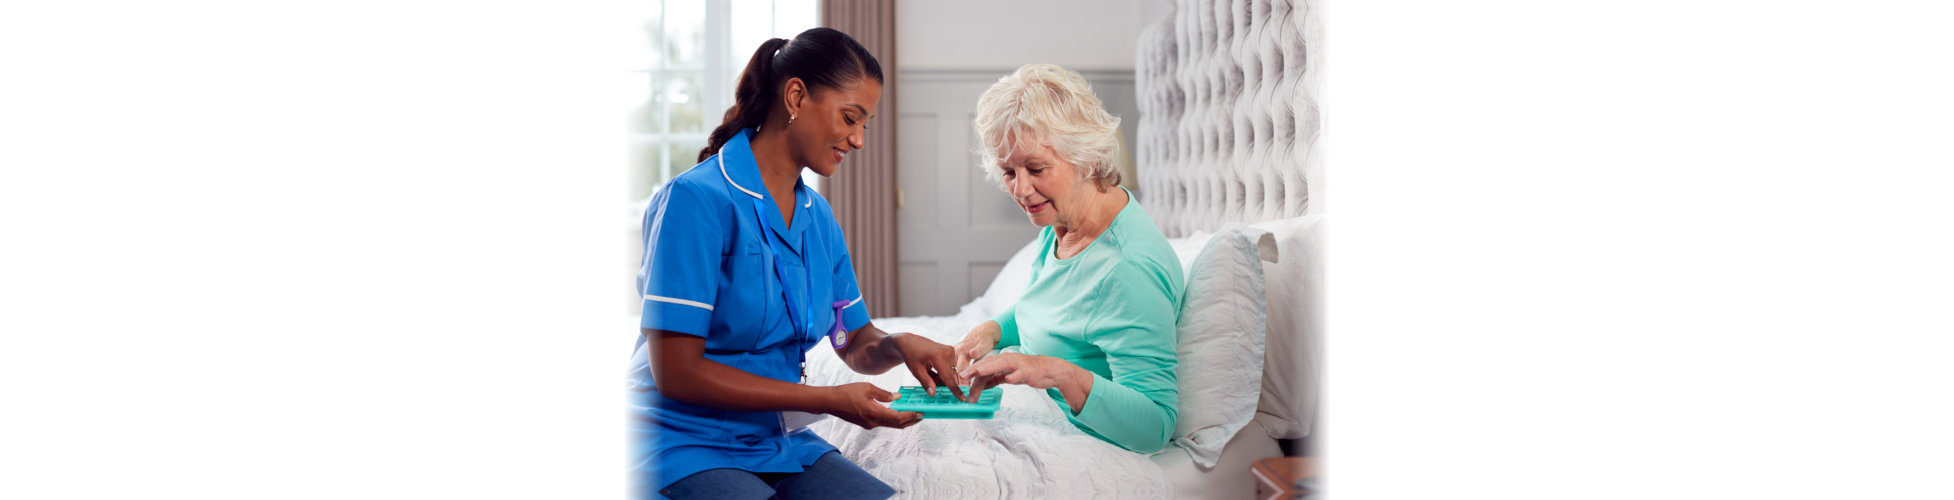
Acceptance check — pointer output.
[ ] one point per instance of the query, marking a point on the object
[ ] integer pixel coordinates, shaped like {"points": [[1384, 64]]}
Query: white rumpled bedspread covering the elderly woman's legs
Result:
{"points": [[1029, 450]]}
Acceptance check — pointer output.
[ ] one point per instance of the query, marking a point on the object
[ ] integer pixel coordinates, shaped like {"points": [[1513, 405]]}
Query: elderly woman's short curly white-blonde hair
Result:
{"points": [[1048, 106]]}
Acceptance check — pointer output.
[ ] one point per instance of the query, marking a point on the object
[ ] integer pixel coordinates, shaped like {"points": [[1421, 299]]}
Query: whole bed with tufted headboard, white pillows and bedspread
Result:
{"points": [[1228, 167]]}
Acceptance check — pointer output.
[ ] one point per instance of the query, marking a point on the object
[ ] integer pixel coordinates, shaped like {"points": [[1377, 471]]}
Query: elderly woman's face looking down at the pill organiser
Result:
{"points": [[1048, 188]]}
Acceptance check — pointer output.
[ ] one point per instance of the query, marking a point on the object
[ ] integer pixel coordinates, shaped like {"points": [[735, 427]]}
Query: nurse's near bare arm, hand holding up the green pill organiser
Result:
{"points": [[683, 374]]}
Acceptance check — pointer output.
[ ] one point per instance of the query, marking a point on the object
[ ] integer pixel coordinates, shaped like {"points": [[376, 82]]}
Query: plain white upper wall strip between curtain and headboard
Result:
{"points": [[1007, 34]]}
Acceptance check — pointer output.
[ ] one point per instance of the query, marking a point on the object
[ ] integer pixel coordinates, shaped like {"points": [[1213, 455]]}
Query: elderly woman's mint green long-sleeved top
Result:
{"points": [[1111, 310]]}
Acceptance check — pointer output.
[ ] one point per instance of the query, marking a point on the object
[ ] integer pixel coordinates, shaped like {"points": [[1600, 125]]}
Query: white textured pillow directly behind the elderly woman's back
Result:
{"points": [[1224, 323]]}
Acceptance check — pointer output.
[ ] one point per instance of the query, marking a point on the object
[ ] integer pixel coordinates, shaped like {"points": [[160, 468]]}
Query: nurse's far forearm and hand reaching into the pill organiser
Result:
{"points": [[871, 351]]}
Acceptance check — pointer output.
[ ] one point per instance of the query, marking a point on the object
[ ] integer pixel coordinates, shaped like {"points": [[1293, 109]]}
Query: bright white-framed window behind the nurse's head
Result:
{"points": [[687, 69]]}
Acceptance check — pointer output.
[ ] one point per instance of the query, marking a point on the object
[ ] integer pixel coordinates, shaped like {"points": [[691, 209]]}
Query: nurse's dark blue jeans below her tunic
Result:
{"points": [[828, 478]]}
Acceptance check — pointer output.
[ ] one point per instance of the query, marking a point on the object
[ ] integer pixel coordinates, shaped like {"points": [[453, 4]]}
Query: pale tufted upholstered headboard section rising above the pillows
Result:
{"points": [[1228, 114]]}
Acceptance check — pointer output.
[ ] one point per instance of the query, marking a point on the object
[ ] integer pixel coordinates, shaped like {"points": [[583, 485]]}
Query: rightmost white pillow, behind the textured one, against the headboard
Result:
{"points": [[1295, 284]]}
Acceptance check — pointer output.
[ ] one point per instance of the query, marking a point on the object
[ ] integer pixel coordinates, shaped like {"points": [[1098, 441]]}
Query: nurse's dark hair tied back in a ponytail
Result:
{"points": [[822, 58]]}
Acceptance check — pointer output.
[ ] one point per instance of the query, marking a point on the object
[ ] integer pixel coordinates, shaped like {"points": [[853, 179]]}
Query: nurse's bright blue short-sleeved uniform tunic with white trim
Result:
{"points": [[710, 271]]}
